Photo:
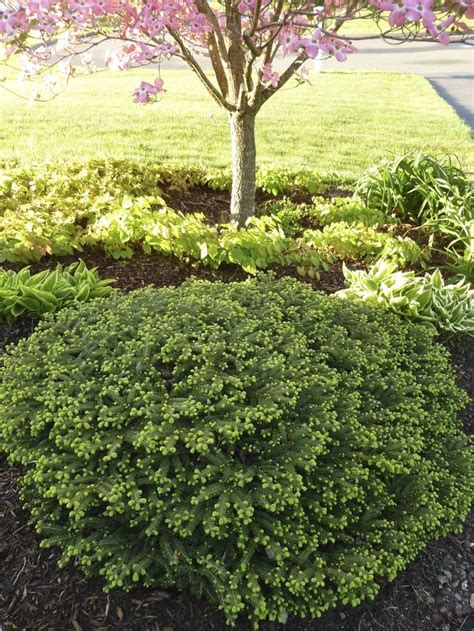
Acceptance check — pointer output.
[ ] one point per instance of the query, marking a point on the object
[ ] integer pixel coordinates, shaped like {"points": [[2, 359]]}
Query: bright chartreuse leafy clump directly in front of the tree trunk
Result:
{"points": [[261, 244]]}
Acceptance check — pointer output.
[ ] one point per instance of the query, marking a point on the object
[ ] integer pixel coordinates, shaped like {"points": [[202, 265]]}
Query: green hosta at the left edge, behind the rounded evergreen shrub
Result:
{"points": [[26, 294]]}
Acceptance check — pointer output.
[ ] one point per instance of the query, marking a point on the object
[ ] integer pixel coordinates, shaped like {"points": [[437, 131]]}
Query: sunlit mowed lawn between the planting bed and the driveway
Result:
{"points": [[341, 124]]}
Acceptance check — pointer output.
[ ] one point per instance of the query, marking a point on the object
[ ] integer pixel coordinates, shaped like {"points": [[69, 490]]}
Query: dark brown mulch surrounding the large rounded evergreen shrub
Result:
{"points": [[35, 595]]}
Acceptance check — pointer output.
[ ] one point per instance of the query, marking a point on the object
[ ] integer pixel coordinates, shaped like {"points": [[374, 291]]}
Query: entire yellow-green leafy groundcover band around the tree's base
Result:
{"points": [[121, 206]]}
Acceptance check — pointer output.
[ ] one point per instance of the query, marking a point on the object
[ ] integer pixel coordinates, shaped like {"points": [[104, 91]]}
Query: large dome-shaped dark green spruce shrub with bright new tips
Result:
{"points": [[267, 447]]}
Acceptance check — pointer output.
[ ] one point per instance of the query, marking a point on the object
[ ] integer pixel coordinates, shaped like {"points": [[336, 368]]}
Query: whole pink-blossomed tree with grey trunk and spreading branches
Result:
{"points": [[245, 42]]}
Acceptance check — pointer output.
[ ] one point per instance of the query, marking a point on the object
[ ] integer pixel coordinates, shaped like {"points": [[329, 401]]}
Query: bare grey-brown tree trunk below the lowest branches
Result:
{"points": [[242, 135]]}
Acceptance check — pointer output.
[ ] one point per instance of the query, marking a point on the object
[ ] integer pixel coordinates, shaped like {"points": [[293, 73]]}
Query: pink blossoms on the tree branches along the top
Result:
{"points": [[153, 30]]}
